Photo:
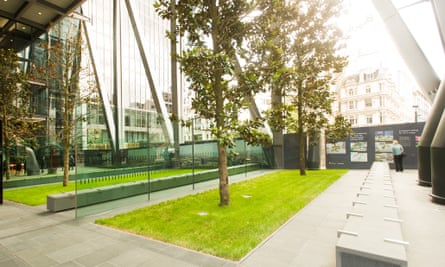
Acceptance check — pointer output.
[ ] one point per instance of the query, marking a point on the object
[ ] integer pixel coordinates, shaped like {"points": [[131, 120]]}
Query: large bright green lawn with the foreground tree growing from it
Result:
{"points": [[258, 207]]}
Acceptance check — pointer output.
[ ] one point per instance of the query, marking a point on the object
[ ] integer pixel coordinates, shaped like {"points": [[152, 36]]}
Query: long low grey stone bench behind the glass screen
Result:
{"points": [[70, 200]]}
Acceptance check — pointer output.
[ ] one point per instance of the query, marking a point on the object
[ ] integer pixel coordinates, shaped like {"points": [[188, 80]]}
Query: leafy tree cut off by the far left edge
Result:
{"points": [[15, 112]]}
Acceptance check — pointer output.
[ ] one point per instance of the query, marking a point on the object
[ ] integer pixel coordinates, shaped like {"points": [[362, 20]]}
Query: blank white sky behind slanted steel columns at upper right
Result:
{"points": [[373, 47]]}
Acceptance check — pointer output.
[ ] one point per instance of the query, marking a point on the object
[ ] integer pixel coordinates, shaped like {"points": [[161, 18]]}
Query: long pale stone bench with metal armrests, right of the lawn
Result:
{"points": [[372, 235]]}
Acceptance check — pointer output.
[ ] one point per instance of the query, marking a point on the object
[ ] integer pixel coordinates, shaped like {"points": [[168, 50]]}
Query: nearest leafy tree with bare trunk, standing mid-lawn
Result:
{"points": [[214, 31]]}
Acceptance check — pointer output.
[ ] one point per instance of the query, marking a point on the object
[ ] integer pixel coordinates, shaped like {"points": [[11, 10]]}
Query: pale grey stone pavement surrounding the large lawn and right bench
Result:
{"points": [[31, 236]]}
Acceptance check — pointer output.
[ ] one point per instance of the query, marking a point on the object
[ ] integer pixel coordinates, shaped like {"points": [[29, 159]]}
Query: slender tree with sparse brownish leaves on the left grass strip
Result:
{"points": [[62, 72]]}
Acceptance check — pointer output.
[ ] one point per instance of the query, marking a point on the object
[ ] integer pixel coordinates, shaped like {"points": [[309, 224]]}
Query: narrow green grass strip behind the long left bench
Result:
{"points": [[36, 195]]}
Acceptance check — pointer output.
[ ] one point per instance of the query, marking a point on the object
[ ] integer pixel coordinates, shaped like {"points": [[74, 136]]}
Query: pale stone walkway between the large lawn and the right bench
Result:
{"points": [[309, 238]]}
